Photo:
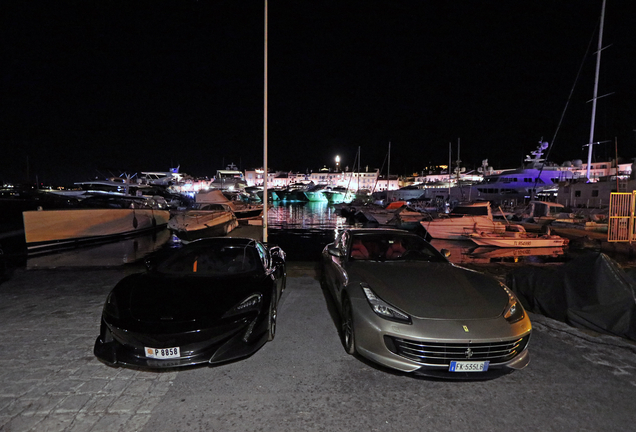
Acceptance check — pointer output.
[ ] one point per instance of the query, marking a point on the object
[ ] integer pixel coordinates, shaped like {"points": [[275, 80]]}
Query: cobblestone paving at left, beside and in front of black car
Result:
{"points": [[49, 375]]}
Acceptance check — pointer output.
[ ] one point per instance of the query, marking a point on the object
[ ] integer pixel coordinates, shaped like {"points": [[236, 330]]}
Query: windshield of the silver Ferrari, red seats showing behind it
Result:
{"points": [[392, 247]]}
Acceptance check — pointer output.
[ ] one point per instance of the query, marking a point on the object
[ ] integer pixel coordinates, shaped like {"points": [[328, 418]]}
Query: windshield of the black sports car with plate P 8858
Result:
{"points": [[212, 260]]}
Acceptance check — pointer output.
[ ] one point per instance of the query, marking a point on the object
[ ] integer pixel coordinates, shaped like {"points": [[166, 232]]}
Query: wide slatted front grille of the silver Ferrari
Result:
{"points": [[441, 354]]}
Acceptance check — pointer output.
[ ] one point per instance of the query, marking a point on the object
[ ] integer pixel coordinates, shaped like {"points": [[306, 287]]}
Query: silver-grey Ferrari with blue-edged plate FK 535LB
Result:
{"points": [[403, 305]]}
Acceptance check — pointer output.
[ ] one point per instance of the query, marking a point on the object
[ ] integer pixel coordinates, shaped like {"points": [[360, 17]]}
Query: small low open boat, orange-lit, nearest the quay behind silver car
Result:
{"points": [[517, 238]]}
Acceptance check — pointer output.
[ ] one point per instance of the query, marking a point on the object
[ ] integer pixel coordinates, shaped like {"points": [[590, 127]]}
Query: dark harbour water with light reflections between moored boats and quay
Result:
{"points": [[301, 229]]}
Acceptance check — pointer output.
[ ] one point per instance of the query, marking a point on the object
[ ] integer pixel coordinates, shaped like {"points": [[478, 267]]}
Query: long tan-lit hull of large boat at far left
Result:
{"points": [[56, 228]]}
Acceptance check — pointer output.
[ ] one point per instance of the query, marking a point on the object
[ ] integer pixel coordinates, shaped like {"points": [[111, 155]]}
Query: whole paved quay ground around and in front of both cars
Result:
{"points": [[303, 381]]}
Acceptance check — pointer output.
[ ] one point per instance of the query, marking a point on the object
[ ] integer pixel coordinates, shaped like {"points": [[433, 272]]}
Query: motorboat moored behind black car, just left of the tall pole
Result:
{"points": [[203, 220]]}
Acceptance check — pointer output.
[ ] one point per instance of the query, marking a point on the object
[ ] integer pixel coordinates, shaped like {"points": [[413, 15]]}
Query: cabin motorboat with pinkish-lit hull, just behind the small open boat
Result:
{"points": [[469, 217]]}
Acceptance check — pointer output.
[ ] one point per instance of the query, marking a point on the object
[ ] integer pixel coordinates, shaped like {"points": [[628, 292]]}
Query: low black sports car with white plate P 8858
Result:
{"points": [[211, 301]]}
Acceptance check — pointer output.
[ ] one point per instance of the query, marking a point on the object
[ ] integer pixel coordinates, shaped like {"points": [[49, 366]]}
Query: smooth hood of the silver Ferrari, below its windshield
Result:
{"points": [[433, 290]]}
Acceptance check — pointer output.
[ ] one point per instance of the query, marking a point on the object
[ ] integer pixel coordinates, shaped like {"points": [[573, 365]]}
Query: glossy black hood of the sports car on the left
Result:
{"points": [[152, 298]]}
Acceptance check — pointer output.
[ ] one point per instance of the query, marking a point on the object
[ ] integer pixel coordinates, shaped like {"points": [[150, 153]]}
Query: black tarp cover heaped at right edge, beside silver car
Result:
{"points": [[591, 291]]}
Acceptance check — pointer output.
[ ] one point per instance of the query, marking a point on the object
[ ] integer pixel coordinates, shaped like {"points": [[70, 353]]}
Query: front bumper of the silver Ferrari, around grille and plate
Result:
{"points": [[453, 340]]}
